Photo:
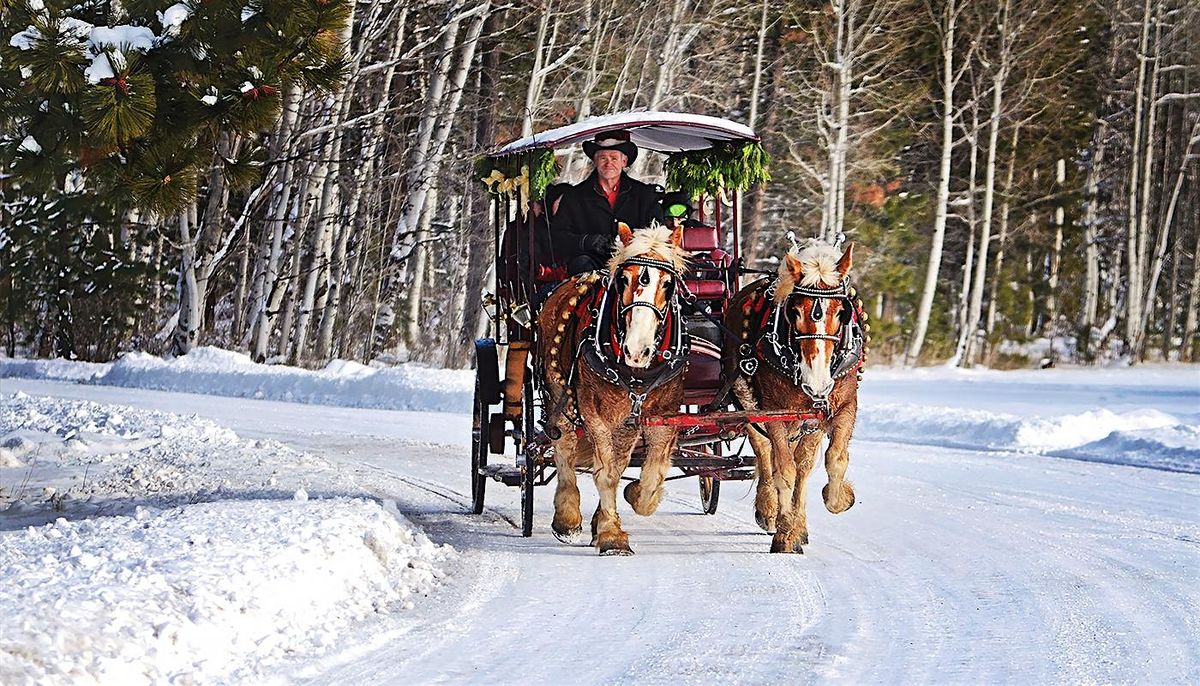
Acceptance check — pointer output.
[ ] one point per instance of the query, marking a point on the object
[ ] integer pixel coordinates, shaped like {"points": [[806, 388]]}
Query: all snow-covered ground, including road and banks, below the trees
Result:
{"points": [[214, 535]]}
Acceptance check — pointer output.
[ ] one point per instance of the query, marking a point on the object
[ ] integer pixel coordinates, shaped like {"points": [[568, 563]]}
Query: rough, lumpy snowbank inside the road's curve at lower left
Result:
{"points": [[153, 549]]}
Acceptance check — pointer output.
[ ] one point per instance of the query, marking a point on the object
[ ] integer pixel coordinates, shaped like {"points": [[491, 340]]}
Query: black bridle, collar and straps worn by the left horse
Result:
{"points": [[601, 344]]}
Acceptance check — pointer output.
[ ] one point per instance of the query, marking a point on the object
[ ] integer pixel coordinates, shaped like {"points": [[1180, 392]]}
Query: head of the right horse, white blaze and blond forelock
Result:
{"points": [[813, 290]]}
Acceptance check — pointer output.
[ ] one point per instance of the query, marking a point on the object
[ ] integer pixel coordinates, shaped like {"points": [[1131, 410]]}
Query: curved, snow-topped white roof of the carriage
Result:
{"points": [[659, 131]]}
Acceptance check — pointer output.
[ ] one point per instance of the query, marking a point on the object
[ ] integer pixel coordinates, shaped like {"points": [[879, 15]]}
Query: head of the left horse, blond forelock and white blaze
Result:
{"points": [[645, 272]]}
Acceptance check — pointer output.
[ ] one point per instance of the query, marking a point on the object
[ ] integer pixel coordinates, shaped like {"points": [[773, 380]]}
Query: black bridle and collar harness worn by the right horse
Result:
{"points": [[776, 338]]}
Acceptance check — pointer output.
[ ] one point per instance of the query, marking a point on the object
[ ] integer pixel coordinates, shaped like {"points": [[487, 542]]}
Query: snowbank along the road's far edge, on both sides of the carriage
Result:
{"points": [[1147, 416]]}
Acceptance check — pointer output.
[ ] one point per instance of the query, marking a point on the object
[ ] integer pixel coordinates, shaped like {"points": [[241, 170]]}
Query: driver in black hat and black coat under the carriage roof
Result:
{"points": [[586, 225]]}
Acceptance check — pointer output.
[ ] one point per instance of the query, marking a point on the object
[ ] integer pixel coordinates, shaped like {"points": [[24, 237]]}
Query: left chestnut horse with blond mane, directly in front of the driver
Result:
{"points": [[611, 348]]}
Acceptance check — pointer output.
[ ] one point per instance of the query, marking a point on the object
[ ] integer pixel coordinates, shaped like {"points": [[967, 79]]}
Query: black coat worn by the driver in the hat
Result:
{"points": [[585, 210]]}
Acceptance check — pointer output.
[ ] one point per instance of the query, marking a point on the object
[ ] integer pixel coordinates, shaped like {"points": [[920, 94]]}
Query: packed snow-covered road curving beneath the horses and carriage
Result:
{"points": [[955, 567]]}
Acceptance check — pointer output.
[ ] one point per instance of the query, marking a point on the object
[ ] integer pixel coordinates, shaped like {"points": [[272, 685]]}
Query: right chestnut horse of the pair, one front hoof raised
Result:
{"points": [[797, 340]]}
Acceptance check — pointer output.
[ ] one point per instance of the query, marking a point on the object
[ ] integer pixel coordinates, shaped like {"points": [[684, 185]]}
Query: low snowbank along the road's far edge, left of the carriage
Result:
{"points": [[219, 372]]}
